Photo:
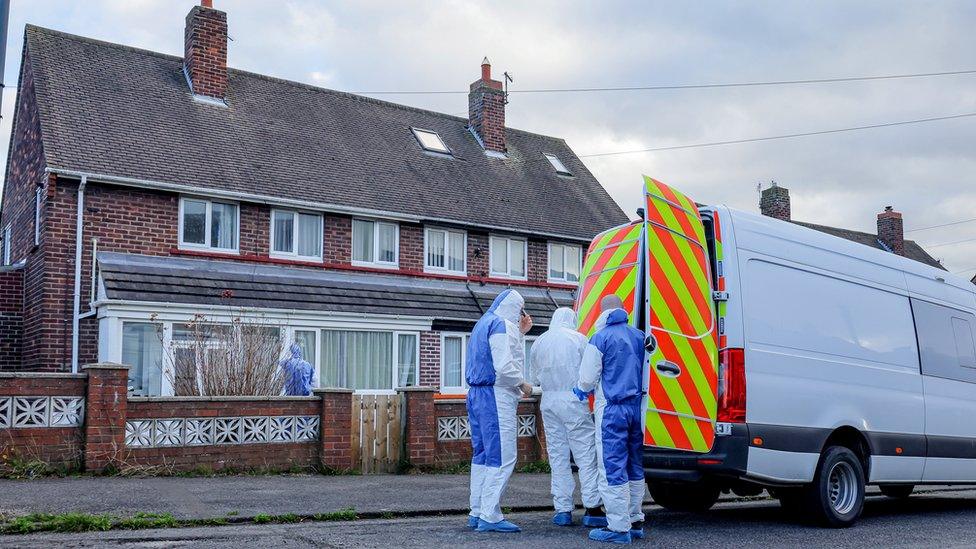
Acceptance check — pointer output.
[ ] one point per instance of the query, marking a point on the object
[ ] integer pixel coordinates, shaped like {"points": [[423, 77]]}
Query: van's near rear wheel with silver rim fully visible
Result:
{"points": [[836, 497]]}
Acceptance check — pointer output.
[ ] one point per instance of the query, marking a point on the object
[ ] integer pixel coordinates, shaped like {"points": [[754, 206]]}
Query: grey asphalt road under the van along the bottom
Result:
{"points": [[942, 519]]}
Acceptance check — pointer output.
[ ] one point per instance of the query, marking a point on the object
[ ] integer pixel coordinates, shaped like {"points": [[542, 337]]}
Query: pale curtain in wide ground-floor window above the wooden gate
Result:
{"points": [[357, 360]]}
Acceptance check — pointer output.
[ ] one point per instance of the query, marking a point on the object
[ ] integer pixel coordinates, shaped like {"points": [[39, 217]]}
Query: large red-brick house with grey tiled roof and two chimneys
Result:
{"points": [[143, 188]]}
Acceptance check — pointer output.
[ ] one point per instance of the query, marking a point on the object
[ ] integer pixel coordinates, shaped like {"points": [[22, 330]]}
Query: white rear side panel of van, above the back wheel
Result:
{"points": [[814, 363]]}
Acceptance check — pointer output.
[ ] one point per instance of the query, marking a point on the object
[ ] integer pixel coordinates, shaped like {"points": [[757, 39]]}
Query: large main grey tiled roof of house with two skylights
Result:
{"points": [[120, 111]]}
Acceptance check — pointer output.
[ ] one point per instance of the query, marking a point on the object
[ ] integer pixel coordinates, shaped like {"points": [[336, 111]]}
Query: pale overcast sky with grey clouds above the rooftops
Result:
{"points": [[926, 171]]}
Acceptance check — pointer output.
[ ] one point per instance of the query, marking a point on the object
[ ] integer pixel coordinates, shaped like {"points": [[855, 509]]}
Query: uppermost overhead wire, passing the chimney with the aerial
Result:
{"points": [[688, 86]]}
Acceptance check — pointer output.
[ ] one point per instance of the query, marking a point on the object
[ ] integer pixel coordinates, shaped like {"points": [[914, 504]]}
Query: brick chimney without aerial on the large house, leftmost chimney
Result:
{"points": [[205, 50]]}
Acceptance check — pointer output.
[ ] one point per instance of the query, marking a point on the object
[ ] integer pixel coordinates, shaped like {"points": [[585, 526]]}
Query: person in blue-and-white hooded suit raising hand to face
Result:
{"points": [[493, 370]]}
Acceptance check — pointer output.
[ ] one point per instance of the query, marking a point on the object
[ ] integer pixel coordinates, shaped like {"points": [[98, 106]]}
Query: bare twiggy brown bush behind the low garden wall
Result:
{"points": [[236, 359]]}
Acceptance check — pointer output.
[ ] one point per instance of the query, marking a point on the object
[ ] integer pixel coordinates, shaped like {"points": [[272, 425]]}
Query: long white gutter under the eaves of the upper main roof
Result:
{"points": [[286, 202]]}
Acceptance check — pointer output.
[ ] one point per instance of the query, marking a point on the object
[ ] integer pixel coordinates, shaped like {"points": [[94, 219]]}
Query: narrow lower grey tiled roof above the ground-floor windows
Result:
{"points": [[130, 277]]}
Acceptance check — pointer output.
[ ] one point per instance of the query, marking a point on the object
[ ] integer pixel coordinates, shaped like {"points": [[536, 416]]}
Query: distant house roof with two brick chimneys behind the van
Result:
{"points": [[775, 202]]}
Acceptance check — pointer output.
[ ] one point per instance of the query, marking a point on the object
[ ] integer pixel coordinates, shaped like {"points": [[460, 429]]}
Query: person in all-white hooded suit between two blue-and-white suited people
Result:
{"points": [[554, 365]]}
